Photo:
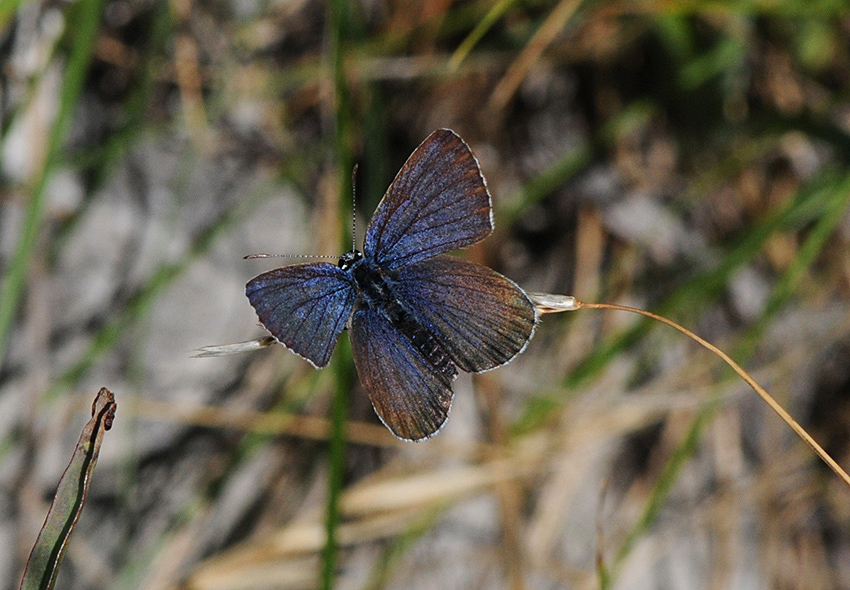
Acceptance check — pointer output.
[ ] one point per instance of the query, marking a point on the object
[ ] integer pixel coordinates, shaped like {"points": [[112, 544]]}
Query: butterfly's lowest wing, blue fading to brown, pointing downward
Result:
{"points": [[409, 395]]}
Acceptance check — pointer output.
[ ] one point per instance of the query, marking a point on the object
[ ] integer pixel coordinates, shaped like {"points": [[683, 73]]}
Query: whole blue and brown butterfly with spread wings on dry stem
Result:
{"points": [[414, 315]]}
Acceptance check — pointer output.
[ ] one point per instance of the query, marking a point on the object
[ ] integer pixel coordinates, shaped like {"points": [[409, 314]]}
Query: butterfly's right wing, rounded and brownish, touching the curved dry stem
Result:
{"points": [[485, 319]]}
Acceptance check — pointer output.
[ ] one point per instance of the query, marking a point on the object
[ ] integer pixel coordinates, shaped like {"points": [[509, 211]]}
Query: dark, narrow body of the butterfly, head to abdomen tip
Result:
{"points": [[375, 291]]}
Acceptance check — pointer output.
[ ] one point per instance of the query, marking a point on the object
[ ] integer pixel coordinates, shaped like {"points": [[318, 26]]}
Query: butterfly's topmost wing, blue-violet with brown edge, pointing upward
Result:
{"points": [[437, 202]]}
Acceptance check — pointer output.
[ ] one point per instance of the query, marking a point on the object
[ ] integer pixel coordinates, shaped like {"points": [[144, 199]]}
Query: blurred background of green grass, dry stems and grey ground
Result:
{"points": [[689, 158]]}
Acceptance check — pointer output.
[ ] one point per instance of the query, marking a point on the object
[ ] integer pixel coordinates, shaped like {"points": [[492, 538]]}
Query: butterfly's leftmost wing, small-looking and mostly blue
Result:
{"points": [[304, 306]]}
